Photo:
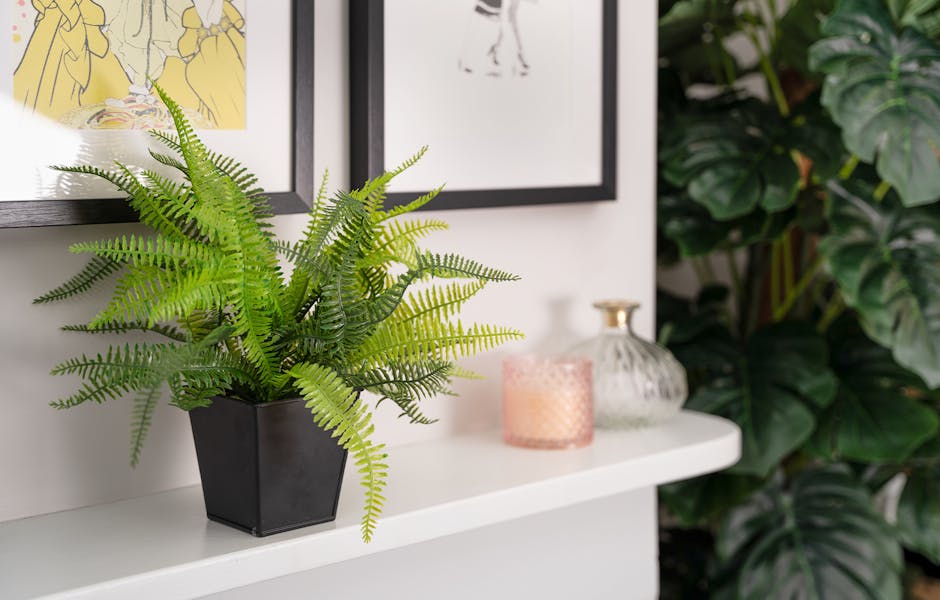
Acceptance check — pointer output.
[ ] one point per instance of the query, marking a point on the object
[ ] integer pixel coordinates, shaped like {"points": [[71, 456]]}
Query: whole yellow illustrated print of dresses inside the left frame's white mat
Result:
{"points": [[89, 63]]}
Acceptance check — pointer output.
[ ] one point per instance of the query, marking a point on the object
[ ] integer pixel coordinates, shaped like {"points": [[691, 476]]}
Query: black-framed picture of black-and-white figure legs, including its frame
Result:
{"points": [[515, 99]]}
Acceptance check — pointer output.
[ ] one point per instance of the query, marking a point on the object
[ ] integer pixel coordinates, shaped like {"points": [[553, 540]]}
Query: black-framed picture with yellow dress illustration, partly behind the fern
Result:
{"points": [[78, 90]]}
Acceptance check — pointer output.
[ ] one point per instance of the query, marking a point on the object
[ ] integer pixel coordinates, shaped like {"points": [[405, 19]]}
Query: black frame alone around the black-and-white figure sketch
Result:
{"points": [[367, 118]]}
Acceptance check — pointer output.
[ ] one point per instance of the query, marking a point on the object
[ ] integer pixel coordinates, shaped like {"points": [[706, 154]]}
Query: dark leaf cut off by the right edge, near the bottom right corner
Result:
{"points": [[919, 512]]}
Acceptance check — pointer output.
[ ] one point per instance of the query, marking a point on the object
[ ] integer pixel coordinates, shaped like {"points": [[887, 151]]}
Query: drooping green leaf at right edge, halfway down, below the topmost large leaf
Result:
{"points": [[886, 260]]}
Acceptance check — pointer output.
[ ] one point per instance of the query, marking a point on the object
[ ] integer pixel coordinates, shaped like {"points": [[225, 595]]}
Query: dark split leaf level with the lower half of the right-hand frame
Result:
{"points": [[737, 156]]}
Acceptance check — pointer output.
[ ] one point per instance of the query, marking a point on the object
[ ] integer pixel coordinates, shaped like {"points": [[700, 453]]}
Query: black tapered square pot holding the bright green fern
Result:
{"points": [[266, 468]]}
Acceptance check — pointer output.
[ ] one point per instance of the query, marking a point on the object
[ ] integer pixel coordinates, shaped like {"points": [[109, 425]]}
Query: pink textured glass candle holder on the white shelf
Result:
{"points": [[547, 402]]}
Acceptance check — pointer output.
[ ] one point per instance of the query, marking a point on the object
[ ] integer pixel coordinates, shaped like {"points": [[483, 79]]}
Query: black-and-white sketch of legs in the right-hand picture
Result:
{"points": [[486, 50]]}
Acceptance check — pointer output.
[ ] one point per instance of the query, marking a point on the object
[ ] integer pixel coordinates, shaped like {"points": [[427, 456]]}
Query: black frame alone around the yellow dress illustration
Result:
{"points": [[36, 213]]}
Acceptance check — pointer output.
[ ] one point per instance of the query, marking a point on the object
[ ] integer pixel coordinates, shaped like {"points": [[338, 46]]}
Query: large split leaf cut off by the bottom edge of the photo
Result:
{"points": [[819, 539]]}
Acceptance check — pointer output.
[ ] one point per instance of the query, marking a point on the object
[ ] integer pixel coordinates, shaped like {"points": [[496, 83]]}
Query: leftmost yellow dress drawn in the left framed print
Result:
{"points": [[67, 62]]}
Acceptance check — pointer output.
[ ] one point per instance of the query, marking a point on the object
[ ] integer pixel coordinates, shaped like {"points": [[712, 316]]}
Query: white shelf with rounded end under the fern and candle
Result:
{"points": [[162, 546]]}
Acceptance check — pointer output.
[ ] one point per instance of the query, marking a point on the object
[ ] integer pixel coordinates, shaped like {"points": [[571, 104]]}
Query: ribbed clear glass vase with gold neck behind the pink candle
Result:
{"points": [[636, 382]]}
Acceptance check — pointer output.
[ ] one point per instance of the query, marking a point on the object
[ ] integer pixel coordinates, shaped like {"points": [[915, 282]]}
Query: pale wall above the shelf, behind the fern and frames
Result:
{"points": [[568, 256]]}
